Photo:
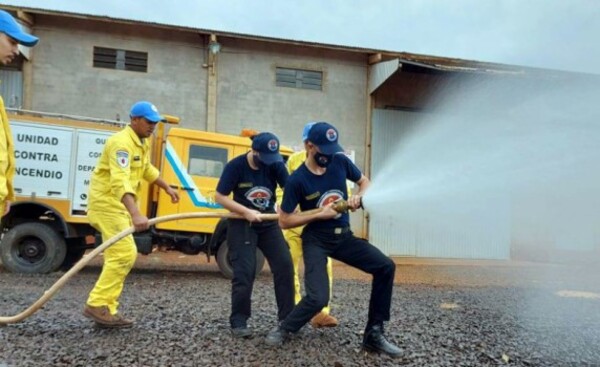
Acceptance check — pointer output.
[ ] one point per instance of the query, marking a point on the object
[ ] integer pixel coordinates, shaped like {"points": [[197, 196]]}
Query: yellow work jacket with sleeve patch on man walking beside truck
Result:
{"points": [[124, 162]]}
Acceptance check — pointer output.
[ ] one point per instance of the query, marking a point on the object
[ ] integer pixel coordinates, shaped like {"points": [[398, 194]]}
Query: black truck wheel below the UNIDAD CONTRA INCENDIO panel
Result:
{"points": [[32, 248]]}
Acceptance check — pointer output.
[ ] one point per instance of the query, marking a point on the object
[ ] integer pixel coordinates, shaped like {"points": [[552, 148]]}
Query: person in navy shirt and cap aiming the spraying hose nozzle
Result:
{"points": [[318, 184]]}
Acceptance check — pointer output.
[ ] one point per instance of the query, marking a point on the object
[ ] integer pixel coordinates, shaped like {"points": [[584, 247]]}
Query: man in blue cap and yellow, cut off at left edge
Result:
{"points": [[11, 35]]}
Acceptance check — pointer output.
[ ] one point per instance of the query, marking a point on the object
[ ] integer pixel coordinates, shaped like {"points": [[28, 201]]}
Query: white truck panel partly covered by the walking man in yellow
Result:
{"points": [[89, 149]]}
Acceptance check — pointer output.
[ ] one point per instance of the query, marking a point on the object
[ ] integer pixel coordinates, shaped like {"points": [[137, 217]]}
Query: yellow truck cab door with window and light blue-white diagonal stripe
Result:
{"points": [[194, 167]]}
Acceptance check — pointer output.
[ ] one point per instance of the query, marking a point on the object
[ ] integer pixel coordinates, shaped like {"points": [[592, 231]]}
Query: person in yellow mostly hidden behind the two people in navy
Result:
{"points": [[292, 236]]}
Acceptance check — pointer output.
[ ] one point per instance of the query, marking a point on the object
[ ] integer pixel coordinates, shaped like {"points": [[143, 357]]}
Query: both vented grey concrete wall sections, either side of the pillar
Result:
{"points": [[65, 81]]}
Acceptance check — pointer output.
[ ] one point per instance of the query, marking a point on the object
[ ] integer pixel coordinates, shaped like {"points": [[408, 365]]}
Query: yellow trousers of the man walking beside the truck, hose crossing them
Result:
{"points": [[118, 259]]}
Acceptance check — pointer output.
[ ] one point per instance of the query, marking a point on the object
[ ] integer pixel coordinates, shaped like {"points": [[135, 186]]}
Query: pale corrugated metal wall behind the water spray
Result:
{"points": [[403, 238]]}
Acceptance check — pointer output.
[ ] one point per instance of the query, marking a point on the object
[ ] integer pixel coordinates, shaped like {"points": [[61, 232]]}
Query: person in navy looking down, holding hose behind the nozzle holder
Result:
{"points": [[253, 179]]}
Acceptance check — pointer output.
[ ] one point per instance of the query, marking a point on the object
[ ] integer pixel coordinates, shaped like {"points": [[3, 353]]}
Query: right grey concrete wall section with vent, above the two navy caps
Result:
{"points": [[248, 96]]}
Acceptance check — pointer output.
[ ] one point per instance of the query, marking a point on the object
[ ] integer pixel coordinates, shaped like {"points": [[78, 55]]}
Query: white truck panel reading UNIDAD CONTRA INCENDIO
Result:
{"points": [[42, 160]]}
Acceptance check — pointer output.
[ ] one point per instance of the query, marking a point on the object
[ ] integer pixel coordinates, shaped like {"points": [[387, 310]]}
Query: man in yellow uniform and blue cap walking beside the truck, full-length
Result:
{"points": [[112, 207]]}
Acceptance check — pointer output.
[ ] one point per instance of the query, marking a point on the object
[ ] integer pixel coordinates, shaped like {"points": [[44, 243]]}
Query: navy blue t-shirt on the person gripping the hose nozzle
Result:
{"points": [[315, 191]]}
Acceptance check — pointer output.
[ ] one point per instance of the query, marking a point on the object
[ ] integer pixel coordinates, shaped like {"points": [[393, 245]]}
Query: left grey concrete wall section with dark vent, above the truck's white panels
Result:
{"points": [[65, 81]]}
